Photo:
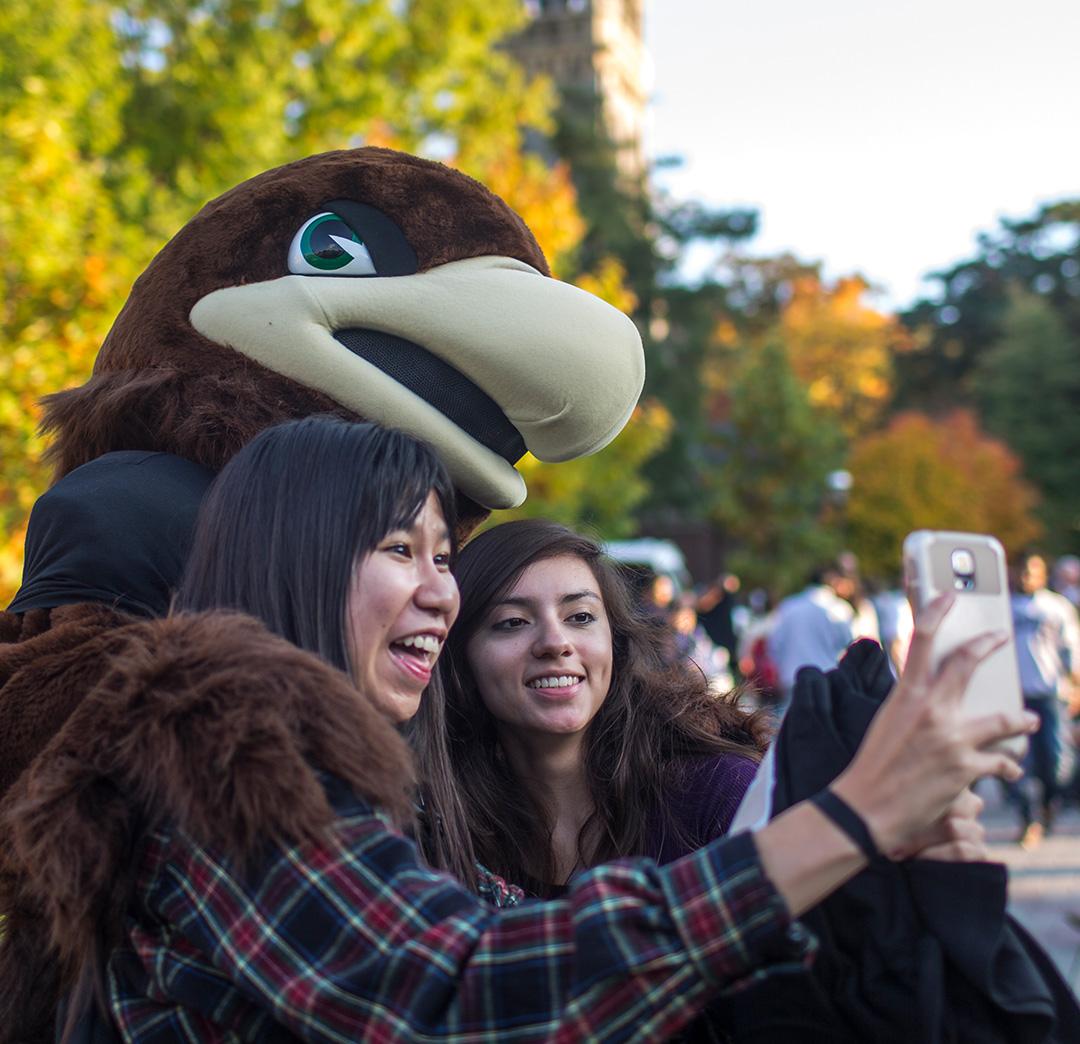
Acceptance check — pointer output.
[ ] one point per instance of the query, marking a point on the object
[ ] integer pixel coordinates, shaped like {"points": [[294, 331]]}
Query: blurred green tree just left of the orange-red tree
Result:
{"points": [[768, 486]]}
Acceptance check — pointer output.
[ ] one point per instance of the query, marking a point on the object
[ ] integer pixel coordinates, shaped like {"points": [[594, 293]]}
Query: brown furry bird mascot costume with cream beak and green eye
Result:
{"points": [[367, 284]]}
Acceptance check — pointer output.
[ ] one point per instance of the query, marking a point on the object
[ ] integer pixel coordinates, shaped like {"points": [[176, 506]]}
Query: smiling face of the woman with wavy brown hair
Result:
{"points": [[543, 656]]}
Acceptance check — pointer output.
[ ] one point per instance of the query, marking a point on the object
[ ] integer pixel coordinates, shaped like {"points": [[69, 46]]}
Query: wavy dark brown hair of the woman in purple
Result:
{"points": [[655, 720]]}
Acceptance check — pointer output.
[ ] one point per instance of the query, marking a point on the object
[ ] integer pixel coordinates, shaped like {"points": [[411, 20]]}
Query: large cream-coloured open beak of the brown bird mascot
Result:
{"points": [[538, 365]]}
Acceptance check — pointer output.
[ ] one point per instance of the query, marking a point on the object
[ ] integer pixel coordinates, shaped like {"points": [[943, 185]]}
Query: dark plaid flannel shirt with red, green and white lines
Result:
{"points": [[355, 939]]}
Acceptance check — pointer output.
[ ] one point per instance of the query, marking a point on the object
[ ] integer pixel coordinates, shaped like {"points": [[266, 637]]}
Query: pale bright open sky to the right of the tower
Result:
{"points": [[879, 137]]}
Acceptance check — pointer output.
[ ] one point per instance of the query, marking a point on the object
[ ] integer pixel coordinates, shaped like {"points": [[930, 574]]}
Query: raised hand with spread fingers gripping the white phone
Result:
{"points": [[921, 752]]}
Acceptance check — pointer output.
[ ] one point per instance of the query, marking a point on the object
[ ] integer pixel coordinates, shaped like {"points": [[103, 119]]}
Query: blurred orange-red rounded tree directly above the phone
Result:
{"points": [[922, 473]]}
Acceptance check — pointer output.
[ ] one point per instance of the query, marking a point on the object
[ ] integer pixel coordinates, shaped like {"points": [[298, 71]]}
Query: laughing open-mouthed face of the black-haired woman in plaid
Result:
{"points": [[401, 605]]}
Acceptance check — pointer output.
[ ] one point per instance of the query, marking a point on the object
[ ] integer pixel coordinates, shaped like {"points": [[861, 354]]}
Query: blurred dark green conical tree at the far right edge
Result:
{"points": [[1028, 387]]}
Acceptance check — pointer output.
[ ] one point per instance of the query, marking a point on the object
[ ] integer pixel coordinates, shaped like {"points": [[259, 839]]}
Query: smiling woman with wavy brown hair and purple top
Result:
{"points": [[573, 740]]}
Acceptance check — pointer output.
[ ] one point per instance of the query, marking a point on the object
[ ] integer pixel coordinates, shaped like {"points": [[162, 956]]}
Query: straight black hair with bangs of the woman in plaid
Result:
{"points": [[278, 537]]}
